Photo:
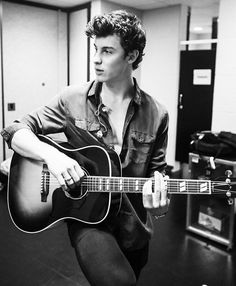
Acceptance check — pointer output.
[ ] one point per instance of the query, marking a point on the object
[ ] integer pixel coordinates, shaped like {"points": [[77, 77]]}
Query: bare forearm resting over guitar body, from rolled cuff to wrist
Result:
{"points": [[27, 144]]}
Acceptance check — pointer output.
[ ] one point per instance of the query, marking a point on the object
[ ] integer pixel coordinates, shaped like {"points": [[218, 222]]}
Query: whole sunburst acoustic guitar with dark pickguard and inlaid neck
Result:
{"points": [[36, 201]]}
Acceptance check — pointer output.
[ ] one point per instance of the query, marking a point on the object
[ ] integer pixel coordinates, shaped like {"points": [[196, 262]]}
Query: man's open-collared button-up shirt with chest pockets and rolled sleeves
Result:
{"points": [[80, 114]]}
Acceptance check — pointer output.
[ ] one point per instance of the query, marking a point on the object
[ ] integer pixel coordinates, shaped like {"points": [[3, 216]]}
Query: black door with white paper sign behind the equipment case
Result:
{"points": [[197, 71]]}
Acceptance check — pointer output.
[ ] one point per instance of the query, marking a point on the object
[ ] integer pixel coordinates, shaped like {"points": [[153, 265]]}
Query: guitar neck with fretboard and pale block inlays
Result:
{"points": [[135, 185]]}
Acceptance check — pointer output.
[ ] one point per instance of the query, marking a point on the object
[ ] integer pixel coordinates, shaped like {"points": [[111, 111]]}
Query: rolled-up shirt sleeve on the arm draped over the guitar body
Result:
{"points": [[45, 120]]}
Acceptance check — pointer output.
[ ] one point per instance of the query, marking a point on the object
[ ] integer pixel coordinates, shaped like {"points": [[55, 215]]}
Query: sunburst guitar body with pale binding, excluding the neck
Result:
{"points": [[36, 201]]}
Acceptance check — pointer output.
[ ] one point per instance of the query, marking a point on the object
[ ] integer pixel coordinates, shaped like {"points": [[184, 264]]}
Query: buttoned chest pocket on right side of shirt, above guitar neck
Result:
{"points": [[140, 146]]}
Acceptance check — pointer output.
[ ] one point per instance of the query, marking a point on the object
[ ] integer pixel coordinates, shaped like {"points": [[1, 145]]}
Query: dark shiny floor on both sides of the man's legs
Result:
{"points": [[176, 256]]}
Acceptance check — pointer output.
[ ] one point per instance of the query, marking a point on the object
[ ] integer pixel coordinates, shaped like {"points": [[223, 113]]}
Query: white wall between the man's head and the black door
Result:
{"points": [[160, 67]]}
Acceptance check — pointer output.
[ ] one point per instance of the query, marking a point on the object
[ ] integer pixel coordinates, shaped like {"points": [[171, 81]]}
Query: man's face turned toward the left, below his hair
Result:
{"points": [[110, 62]]}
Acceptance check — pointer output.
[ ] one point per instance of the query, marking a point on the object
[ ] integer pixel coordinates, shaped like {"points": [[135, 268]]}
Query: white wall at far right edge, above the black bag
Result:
{"points": [[224, 105]]}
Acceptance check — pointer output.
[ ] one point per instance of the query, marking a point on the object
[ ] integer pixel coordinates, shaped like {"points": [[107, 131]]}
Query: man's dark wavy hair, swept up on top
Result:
{"points": [[125, 25]]}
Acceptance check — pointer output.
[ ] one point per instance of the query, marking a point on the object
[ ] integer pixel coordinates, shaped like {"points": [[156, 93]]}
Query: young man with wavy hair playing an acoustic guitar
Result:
{"points": [[116, 114]]}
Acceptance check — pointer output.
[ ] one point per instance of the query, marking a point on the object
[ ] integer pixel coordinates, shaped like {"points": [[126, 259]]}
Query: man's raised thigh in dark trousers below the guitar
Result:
{"points": [[100, 257]]}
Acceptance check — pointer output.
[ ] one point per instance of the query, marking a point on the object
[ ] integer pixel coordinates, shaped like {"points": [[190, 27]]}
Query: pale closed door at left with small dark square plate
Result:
{"points": [[34, 58]]}
